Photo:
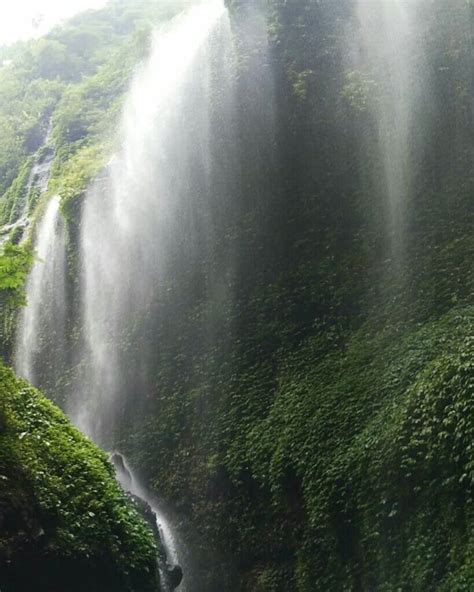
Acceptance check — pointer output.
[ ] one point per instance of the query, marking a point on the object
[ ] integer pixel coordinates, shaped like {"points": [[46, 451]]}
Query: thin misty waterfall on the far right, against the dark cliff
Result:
{"points": [[390, 52]]}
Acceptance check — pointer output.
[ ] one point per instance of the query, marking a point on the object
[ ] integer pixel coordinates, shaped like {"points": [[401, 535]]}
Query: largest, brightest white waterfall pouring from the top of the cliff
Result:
{"points": [[149, 205]]}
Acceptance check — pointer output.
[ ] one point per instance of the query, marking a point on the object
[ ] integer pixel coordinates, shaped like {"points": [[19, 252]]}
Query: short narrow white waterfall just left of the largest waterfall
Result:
{"points": [[40, 341]]}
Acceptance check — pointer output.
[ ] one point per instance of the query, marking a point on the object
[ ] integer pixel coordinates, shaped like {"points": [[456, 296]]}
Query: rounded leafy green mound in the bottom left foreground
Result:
{"points": [[64, 522]]}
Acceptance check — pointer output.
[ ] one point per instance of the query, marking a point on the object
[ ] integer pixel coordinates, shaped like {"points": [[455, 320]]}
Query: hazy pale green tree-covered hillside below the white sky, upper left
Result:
{"points": [[76, 75]]}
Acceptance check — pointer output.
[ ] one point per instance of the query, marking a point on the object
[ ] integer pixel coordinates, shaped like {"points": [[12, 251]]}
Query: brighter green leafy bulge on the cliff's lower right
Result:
{"points": [[373, 447]]}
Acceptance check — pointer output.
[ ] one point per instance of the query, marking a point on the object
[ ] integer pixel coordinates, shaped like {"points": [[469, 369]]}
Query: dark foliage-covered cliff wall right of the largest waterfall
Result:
{"points": [[322, 437]]}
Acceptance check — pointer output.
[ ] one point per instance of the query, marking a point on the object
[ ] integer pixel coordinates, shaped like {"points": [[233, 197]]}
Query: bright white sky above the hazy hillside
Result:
{"points": [[21, 19]]}
